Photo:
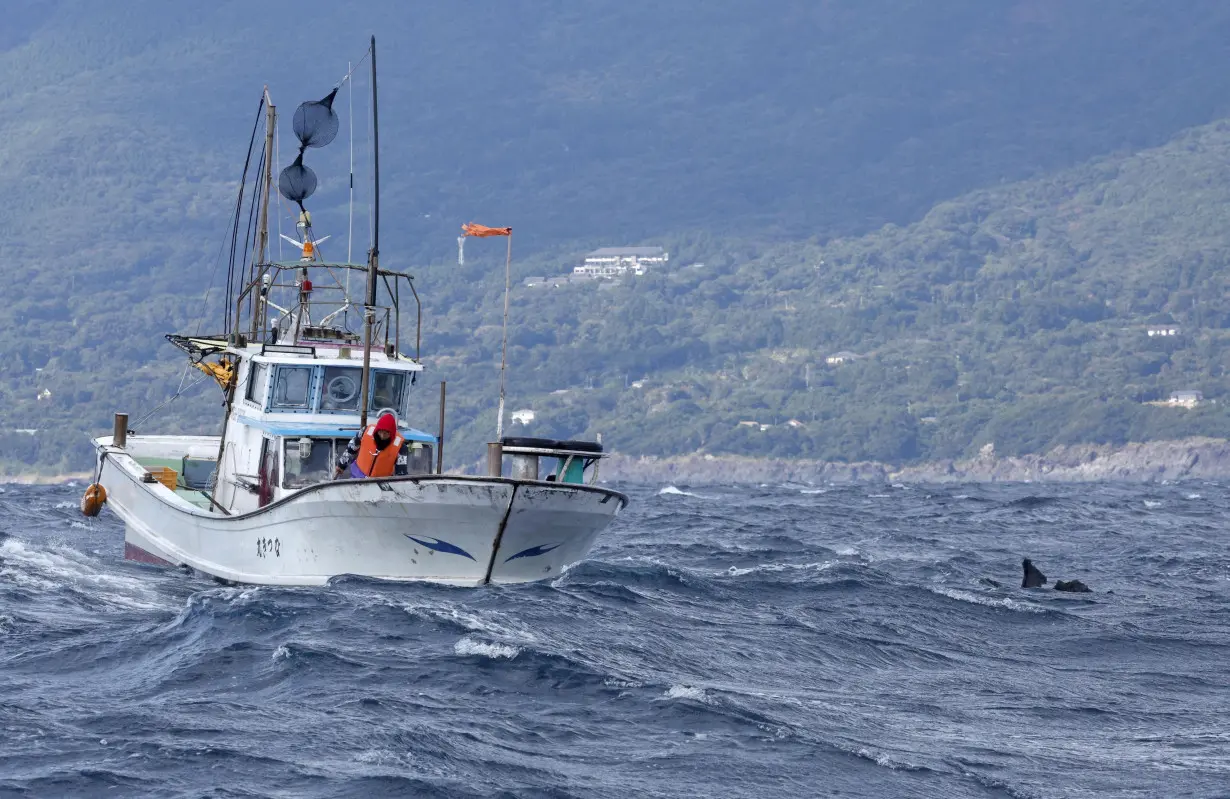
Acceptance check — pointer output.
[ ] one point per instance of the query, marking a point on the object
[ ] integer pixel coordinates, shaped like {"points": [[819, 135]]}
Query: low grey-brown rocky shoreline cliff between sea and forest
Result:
{"points": [[1156, 462]]}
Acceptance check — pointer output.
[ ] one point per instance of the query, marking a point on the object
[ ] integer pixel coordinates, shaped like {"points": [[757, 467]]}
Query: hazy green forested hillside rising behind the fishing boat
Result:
{"points": [[769, 142]]}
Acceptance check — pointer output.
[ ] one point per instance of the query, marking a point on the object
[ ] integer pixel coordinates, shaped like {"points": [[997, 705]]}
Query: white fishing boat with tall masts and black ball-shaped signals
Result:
{"points": [[261, 503]]}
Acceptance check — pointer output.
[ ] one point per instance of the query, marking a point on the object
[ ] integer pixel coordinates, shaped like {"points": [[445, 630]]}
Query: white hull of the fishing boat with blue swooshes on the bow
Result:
{"points": [[445, 529]]}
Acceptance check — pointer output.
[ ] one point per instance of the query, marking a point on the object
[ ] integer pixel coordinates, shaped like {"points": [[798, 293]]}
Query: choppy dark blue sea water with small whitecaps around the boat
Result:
{"points": [[784, 641]]}
